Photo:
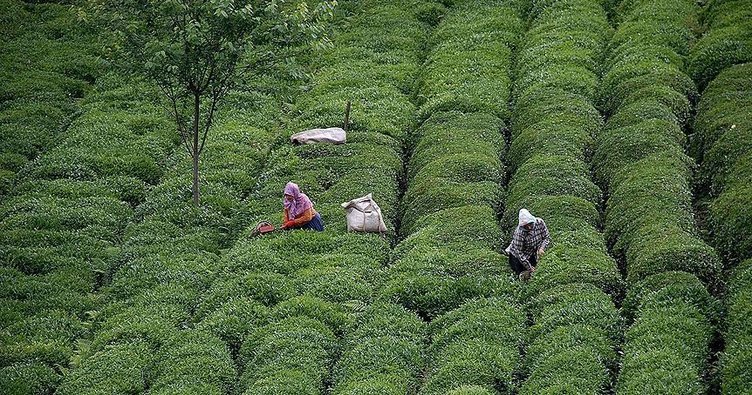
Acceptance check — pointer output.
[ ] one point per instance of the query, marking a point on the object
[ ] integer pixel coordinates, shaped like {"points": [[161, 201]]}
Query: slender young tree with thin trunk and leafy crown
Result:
{"points": [[195, 50]]}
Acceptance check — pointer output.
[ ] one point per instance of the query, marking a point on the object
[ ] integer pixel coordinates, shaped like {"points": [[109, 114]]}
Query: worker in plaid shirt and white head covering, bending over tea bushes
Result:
{"points": [[529, 243]]}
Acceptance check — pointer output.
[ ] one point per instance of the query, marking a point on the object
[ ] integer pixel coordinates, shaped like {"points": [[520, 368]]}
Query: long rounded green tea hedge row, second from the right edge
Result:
{"points": [[646, 93]]}
